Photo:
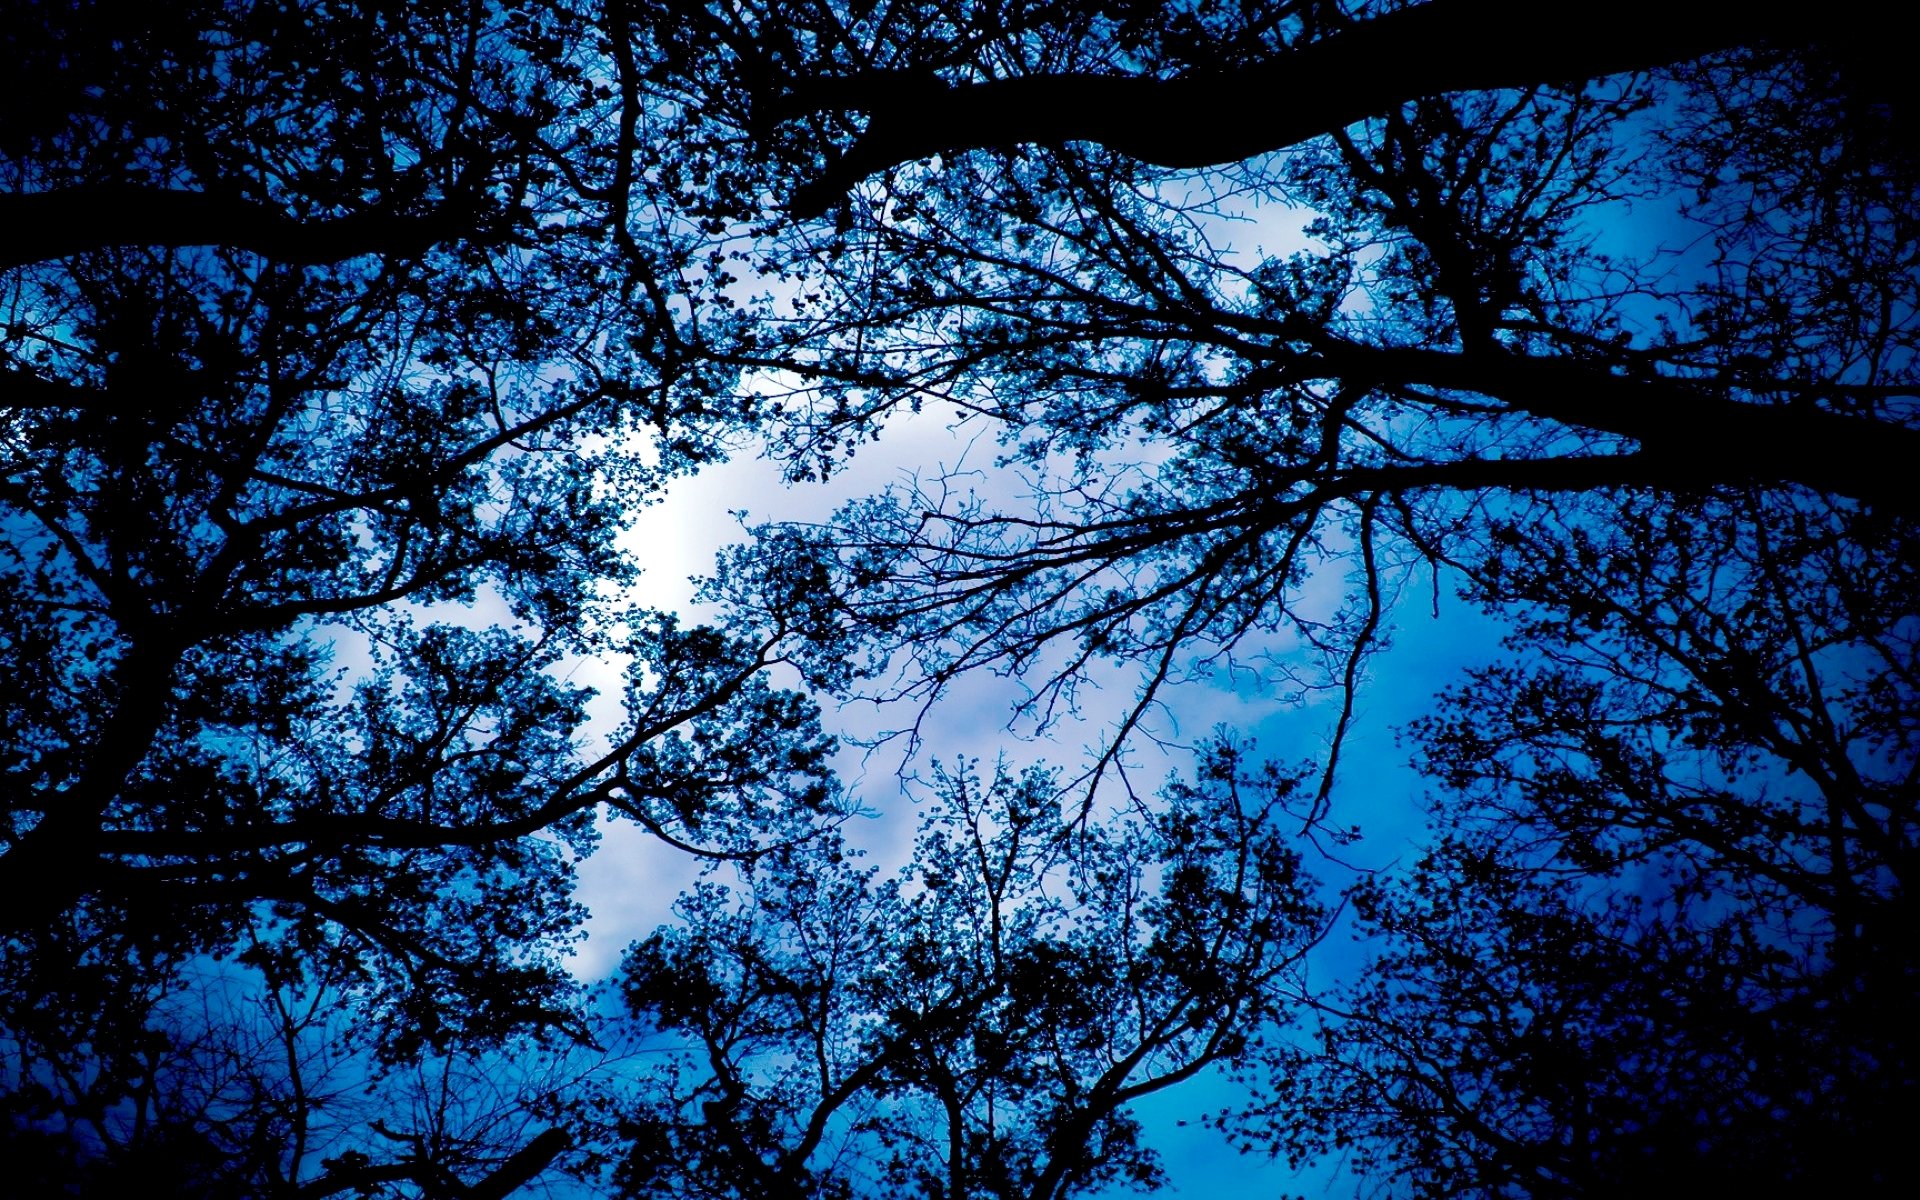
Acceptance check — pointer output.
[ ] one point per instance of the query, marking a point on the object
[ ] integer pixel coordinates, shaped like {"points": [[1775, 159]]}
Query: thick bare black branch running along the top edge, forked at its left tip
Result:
{"points": [[1203, 120]]}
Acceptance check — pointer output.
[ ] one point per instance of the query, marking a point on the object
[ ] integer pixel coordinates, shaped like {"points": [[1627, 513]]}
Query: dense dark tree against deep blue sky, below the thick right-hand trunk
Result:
{"points": [[1662, 932]]}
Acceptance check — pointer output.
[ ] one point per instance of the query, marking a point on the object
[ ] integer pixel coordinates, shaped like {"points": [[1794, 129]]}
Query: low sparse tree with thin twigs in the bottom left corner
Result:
{"points": [[274, 1092]]}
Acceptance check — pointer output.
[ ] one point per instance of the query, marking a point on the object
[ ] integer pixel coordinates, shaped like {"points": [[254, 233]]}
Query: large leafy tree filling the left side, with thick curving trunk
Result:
{"points": [[329, 381]]}
